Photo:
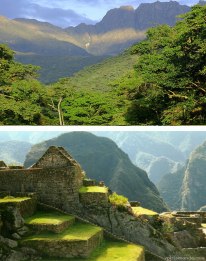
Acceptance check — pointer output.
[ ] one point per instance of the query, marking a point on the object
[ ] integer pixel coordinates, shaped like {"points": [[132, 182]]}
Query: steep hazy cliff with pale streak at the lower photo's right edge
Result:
{"points": [[185, 189]]}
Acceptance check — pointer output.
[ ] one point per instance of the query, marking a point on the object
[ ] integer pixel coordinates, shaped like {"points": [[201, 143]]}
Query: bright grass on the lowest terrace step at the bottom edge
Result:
{"points": [[111, 251]]}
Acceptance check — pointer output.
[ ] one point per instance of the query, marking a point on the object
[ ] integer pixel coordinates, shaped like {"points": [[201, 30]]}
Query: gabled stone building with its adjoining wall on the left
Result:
{"points": [[56, 179]]}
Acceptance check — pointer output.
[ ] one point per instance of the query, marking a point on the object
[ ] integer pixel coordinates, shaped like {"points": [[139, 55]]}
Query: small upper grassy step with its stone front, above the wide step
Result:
{"points": [[51, 222]]}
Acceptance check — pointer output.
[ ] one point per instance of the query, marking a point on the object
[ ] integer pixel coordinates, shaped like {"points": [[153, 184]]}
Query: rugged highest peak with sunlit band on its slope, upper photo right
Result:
{"points": [[123, 26]]}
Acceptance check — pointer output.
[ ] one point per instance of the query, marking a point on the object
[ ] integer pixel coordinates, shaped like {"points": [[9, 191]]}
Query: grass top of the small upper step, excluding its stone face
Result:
{"points": [[48, 218]]}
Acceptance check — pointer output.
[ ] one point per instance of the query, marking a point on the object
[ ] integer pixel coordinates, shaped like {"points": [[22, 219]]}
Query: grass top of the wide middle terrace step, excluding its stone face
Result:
{"points": [[77, 232]]}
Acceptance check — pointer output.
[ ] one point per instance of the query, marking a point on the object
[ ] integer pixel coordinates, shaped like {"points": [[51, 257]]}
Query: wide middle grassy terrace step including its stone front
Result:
{"points": [[77, 241]]}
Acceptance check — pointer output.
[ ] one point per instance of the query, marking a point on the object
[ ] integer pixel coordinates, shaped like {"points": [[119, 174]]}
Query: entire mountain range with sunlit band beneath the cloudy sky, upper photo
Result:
{"points": [[62, 52]]}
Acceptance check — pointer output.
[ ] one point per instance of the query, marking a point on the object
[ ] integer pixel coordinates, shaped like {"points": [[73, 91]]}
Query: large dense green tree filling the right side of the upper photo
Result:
{"points": [[171, 73]]}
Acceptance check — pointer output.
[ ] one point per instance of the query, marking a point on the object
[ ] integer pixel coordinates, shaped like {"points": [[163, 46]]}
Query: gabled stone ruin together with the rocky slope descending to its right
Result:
{"points": [[56, 179]]}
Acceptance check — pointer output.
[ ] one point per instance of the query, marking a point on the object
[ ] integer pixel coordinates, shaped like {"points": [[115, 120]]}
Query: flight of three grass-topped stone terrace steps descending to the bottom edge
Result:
{"points": [[57, 236]]}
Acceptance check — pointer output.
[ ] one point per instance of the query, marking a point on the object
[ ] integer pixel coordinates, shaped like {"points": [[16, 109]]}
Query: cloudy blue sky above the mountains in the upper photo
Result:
{"points": [[66, 13]]}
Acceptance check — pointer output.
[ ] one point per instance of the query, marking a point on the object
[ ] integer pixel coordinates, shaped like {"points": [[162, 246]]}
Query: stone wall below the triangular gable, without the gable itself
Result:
{"points": [[58, 187]]}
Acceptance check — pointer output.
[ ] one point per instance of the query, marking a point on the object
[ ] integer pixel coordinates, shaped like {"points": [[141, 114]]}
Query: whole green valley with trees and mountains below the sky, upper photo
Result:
{"points": [[131, 81]]}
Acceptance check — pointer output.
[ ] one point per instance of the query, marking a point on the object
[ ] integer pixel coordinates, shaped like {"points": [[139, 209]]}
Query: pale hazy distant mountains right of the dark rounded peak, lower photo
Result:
{"points": [[156, 156]]}
